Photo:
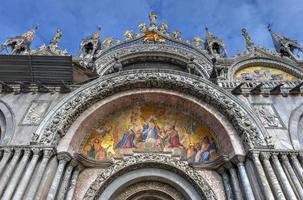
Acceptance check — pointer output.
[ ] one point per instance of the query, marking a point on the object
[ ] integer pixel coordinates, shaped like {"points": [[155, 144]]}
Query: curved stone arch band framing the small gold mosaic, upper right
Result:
{"points": [[267, 62]]}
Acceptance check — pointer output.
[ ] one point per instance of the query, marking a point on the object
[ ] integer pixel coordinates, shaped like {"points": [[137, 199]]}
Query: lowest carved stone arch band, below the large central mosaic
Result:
{"points": [[129, 163]]}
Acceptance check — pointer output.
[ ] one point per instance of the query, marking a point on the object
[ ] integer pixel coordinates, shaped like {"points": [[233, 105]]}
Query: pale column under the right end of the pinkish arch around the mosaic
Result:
{"points": [[248, 193]]}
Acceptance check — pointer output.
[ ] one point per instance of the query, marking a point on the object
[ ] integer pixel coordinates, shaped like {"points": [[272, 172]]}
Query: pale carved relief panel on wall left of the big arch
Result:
{"points": [[35, 112]]}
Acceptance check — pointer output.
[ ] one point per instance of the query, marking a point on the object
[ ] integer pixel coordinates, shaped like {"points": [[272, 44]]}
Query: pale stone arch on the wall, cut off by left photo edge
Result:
{"points": [[6, 123]]}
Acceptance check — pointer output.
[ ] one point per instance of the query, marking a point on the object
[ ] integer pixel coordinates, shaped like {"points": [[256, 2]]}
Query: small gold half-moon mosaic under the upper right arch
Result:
{"points": [[261, 73]]}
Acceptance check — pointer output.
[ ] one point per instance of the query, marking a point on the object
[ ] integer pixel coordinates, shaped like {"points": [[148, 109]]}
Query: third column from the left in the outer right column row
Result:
{"points": [[281, 174]]}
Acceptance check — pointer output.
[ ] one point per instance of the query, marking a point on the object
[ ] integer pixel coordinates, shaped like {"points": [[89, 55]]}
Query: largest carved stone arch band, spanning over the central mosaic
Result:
{"points": [[61, 118]]}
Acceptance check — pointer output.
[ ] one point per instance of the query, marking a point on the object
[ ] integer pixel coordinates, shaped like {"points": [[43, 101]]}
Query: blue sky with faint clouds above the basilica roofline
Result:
{"points": [[225, 18]]}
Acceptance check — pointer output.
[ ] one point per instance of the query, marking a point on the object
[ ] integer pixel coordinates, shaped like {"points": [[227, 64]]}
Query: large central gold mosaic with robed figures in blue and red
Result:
{"points": [[151, 128]]}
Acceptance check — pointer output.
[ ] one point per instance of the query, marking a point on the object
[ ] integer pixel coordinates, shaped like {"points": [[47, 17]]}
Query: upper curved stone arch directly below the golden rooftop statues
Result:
{"points": [[171, 53]]}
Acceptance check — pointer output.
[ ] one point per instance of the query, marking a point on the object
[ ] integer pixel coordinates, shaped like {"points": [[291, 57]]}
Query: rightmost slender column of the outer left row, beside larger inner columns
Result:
{"points": [[47, 153]]}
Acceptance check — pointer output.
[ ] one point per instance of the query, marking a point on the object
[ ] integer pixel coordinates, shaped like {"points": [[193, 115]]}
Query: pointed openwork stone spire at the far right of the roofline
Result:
{"points": [[284, 45]]}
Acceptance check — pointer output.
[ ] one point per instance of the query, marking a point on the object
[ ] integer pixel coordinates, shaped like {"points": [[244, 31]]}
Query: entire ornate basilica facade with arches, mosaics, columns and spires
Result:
{"points": [[152, 116]]}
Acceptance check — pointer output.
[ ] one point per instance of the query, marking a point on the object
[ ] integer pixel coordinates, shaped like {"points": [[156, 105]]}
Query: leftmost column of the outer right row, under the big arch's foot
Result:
{"points": [[265, 185]]}
